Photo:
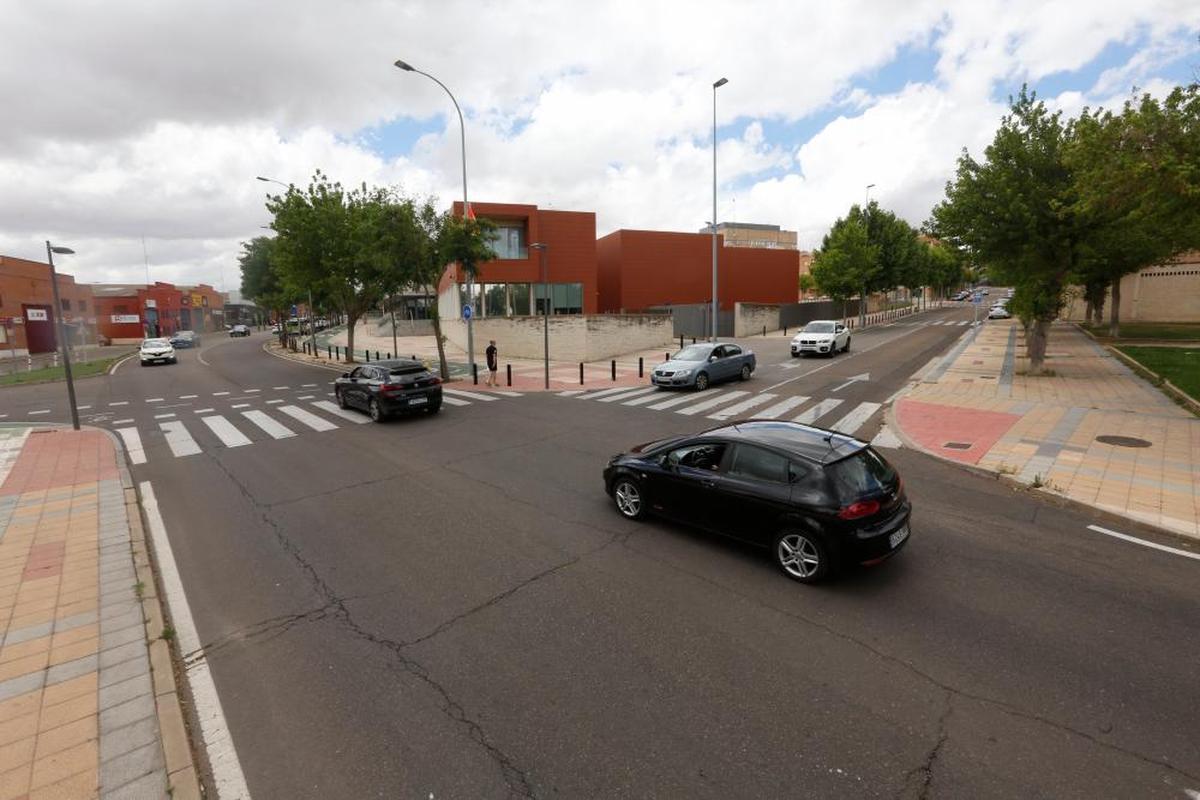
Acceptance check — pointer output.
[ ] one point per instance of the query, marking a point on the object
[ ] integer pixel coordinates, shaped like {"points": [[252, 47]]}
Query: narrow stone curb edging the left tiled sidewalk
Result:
{"points": [[183, 779]]}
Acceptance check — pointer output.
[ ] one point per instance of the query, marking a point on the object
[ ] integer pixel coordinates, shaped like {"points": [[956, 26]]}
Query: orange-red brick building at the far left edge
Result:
{"points": [[28, 317]]}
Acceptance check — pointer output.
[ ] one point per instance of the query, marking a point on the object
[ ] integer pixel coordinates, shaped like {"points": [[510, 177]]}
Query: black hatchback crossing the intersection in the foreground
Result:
{"points": [[818, 500]]}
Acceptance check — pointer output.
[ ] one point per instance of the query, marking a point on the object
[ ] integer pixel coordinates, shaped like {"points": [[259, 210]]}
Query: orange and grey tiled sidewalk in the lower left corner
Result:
{"points": [[88, 705]]}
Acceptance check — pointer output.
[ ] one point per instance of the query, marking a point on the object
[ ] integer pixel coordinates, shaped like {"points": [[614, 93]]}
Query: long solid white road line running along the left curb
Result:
{"points": [[227, 774]]}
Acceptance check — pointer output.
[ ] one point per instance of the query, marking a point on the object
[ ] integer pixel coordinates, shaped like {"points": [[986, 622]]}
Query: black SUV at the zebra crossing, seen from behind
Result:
{"points": [[387, 388]]}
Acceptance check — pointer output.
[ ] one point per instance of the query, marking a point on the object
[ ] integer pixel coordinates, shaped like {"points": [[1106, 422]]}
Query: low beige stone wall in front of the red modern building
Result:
{"points": [[577, 338]]}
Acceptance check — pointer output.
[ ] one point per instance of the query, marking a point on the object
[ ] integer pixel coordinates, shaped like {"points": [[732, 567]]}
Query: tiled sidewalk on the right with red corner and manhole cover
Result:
{"points": [[1093, 432]]}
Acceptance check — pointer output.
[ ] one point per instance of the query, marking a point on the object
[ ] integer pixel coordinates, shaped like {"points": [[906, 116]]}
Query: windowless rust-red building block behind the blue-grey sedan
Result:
{"points": [[647, 269]]}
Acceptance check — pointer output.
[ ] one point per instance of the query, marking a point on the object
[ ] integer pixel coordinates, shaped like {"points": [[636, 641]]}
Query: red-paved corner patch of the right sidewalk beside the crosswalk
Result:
{"points": [[932, 426]]}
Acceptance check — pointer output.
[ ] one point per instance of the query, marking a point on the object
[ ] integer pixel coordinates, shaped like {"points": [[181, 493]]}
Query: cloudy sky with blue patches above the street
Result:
{"points": [[131, 121]]}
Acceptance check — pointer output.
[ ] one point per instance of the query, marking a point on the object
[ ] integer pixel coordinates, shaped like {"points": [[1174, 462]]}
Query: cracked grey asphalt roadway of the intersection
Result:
{"points": [[451, 607]]}
